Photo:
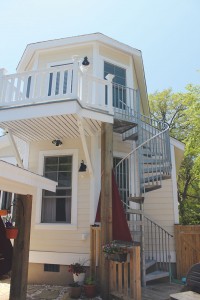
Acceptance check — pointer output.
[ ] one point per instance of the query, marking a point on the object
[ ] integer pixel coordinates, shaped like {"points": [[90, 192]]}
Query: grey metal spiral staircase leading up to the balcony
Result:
{"points": [[142, 171]]}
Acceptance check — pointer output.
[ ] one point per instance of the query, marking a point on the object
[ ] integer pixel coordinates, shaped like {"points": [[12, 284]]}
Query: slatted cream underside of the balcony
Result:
{"points": [[51, 127]]}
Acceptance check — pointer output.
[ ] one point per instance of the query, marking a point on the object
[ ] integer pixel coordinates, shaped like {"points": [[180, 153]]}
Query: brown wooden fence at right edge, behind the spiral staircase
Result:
{"points": [[187, 239]]}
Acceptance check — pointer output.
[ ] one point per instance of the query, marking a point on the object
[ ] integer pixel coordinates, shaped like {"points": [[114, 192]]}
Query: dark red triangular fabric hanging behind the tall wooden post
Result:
{"points": [[120, 226]]}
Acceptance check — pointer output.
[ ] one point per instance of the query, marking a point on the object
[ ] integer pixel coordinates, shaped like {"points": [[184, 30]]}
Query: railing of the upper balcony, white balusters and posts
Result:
{"points": [[64, 83]]}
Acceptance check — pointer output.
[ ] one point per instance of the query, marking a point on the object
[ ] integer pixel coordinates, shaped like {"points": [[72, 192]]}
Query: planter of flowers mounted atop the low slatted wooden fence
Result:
{"points": [[115, 251]]}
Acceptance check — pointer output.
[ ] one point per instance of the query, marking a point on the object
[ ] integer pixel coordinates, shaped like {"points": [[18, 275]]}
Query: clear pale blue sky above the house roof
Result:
{"points": [[167, 32]]}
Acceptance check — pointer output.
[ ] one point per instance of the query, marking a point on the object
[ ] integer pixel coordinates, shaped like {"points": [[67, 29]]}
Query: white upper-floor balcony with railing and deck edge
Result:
{"points": [[57, 95]]}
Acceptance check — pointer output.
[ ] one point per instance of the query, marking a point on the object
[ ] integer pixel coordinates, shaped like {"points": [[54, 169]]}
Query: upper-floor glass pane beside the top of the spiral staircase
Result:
{"points": [[119, 84]]}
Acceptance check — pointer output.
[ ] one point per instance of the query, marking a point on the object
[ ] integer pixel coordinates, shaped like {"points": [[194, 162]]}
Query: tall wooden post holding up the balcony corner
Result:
{"points": [[106, 202]]}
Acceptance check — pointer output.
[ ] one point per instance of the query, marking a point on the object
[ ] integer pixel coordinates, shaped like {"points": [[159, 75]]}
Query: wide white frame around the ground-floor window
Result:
{"points": [[58, 226]]}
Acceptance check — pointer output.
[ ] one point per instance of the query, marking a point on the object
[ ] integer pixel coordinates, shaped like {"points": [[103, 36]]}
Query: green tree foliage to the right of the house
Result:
{"points": [[181, 111]]}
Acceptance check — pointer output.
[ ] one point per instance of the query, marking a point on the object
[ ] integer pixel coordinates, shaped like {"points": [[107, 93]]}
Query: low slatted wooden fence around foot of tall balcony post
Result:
{"points": [[125, 278]]}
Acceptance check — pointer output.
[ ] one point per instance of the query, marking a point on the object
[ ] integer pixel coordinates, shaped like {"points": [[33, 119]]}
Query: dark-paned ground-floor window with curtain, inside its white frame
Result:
{"points": [[56, 207]]}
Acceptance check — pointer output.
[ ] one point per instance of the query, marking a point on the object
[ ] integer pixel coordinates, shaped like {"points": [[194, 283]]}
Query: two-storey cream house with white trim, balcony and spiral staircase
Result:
{"points": [[52, 111]]}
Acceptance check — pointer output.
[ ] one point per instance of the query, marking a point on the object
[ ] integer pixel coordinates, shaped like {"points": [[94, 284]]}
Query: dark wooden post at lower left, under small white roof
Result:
{"points": [[19, 276]]}
